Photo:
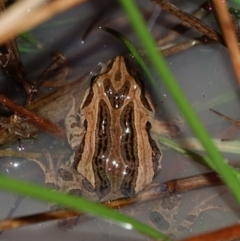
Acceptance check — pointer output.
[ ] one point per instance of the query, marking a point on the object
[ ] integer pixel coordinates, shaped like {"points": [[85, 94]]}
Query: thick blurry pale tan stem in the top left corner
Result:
{"points": [[15, 20]]}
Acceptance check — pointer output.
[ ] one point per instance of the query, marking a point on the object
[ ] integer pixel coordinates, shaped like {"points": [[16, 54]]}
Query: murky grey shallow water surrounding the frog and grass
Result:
{"points": [[203, 72]]}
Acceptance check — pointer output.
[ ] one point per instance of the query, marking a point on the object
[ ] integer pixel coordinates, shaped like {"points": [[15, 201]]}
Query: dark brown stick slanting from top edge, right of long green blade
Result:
{"points": [[191, 20]]}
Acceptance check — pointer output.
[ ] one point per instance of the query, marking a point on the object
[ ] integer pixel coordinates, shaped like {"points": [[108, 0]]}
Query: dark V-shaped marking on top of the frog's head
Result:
{"points": [[116, 97]]}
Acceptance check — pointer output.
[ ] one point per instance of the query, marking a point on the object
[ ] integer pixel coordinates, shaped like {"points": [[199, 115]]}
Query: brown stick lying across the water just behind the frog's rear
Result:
{"points": [[154, 191]]}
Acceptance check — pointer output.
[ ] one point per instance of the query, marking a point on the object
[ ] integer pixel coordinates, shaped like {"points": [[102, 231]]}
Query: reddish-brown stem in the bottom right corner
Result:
{"points": [[224, 234]]}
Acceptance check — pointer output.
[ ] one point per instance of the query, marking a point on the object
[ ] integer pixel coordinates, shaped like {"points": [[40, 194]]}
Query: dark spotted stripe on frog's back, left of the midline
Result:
{"points": [[103, 144]]}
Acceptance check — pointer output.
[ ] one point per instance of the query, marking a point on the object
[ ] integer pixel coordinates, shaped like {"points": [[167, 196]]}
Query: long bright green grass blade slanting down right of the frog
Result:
{"points": [[168, 79]]}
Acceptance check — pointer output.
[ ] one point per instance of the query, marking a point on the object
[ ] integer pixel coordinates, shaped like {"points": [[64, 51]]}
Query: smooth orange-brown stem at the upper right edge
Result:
{"points": [[230, 37]]}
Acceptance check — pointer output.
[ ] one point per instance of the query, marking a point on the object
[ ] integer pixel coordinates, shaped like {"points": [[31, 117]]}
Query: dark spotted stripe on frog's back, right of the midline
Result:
{"points": [[129, 150]]}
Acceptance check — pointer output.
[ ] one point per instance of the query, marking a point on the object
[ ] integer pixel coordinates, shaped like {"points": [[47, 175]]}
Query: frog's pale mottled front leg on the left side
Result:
{"points": [[74, 132]]}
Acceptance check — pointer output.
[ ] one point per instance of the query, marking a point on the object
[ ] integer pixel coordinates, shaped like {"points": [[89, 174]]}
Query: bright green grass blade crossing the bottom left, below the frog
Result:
{"points": [[76, 203]]}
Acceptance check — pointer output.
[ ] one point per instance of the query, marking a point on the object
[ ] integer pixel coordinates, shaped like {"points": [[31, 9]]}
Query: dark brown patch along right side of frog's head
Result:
{"points": [[135, 71]]}
